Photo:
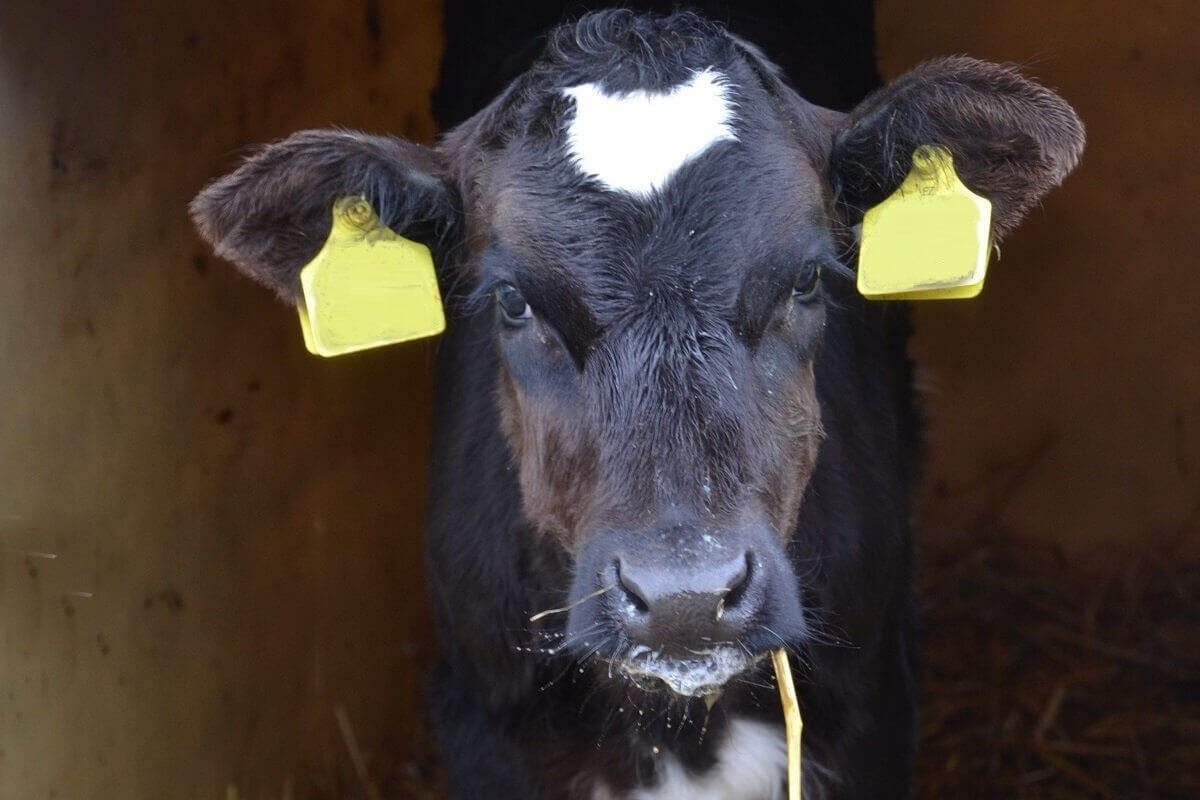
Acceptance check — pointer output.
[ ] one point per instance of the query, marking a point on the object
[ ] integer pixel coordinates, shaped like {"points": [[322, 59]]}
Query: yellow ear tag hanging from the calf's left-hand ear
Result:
{"points": [[368, 286]]}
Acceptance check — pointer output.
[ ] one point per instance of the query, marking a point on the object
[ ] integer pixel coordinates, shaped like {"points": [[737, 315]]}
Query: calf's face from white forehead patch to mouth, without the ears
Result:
{"points": [[657, 318]]}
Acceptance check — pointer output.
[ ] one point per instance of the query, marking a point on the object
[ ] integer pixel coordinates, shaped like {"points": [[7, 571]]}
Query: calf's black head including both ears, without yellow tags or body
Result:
{"points": [[652, 228]]}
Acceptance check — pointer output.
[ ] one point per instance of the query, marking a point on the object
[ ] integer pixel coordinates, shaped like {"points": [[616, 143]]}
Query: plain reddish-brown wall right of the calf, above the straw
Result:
{"points": [[1065, 402]]}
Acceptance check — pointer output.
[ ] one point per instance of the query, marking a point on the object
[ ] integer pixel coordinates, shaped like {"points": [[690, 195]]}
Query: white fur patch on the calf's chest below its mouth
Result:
{"points": [[752, 765]]}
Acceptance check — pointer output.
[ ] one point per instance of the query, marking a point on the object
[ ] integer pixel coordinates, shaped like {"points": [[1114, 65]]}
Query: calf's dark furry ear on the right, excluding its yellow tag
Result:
{"points": [[1012, 140]]}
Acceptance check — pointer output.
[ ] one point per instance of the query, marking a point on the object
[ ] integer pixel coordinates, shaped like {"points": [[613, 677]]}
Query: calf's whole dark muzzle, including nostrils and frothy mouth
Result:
{"points": [[683, 609]]}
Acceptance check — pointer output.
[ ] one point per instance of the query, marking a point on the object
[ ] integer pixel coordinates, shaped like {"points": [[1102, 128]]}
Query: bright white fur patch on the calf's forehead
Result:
{"points": [[635, 142]]}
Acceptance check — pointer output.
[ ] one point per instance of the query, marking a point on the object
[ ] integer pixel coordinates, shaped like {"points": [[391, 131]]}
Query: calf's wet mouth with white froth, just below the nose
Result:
{"points": [[701, 673]]}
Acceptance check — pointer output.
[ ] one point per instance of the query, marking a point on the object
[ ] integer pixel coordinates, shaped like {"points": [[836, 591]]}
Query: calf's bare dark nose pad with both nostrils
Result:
{"points": [[687, 606]]}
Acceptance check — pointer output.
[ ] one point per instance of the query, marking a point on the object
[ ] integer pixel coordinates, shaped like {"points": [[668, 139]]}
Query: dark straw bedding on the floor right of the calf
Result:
{"points": [[1045, 683]]}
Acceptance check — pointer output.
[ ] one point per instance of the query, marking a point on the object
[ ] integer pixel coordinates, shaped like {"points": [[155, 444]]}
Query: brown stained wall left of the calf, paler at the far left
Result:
{"points": [[233, 524]]}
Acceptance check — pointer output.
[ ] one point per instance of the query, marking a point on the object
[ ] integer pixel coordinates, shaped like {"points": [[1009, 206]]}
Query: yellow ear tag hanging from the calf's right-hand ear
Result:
{"points": [[931, 239]]}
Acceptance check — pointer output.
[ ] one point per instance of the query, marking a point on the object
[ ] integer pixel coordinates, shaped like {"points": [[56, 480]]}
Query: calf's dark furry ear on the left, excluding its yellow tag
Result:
{"points": [[273, 214]]}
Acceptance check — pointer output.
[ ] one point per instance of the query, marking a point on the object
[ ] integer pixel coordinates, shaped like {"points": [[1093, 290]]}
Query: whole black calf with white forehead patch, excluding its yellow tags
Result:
{"points": [[670, 435]]}
